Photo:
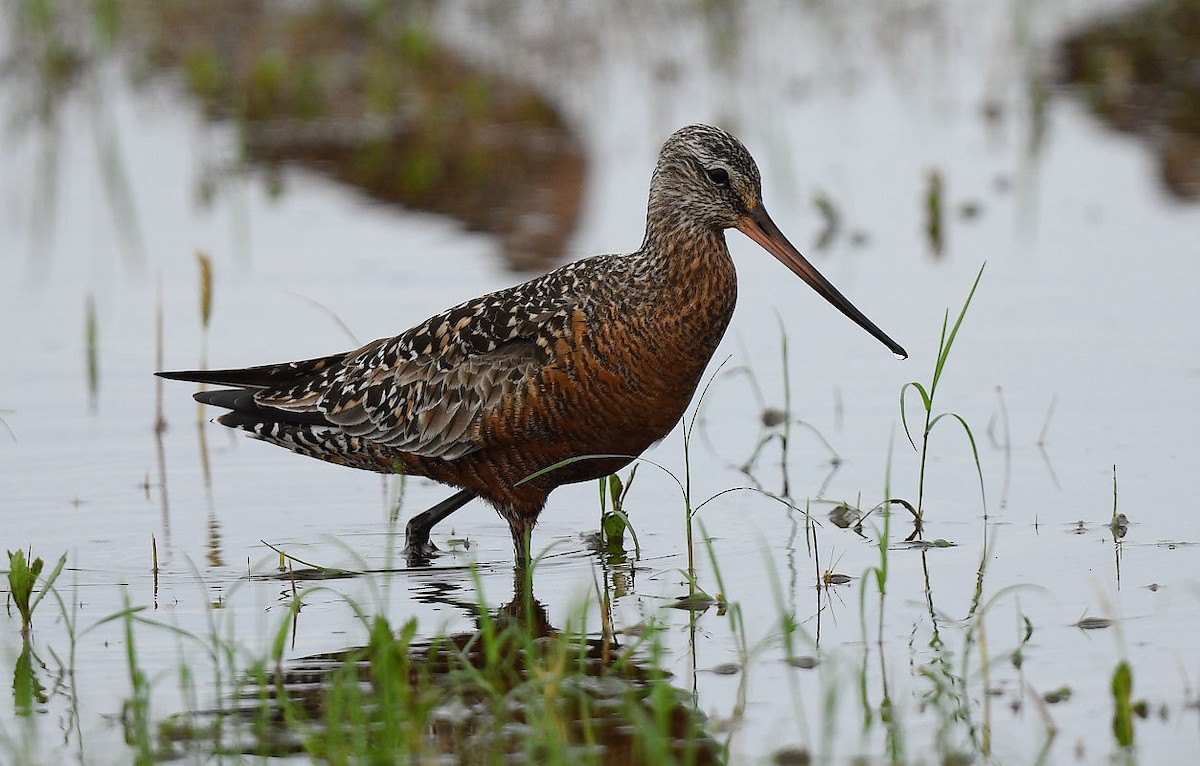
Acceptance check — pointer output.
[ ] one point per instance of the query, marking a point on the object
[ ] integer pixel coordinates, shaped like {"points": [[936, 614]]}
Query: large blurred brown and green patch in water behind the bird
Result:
{"points": [[369, 98]]}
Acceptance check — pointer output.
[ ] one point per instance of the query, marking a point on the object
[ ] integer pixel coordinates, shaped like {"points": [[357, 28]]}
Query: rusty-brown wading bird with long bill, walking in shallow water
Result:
{"points": [[599, 357]]}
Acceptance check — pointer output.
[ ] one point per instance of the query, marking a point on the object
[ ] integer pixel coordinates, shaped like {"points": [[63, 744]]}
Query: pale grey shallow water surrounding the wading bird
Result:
{"points": [[1081, 352]]}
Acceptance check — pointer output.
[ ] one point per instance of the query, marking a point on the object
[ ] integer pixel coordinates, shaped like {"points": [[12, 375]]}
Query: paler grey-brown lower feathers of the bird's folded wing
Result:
{"points": [[427, 405]]}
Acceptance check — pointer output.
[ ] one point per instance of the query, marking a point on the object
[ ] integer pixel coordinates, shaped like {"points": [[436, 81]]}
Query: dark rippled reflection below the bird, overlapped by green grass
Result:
{"points": [[477, 696]]}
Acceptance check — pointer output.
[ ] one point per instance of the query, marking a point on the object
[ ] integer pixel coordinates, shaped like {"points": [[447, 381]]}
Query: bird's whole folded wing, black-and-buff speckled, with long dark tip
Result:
{"points": [[428, 391]]}
